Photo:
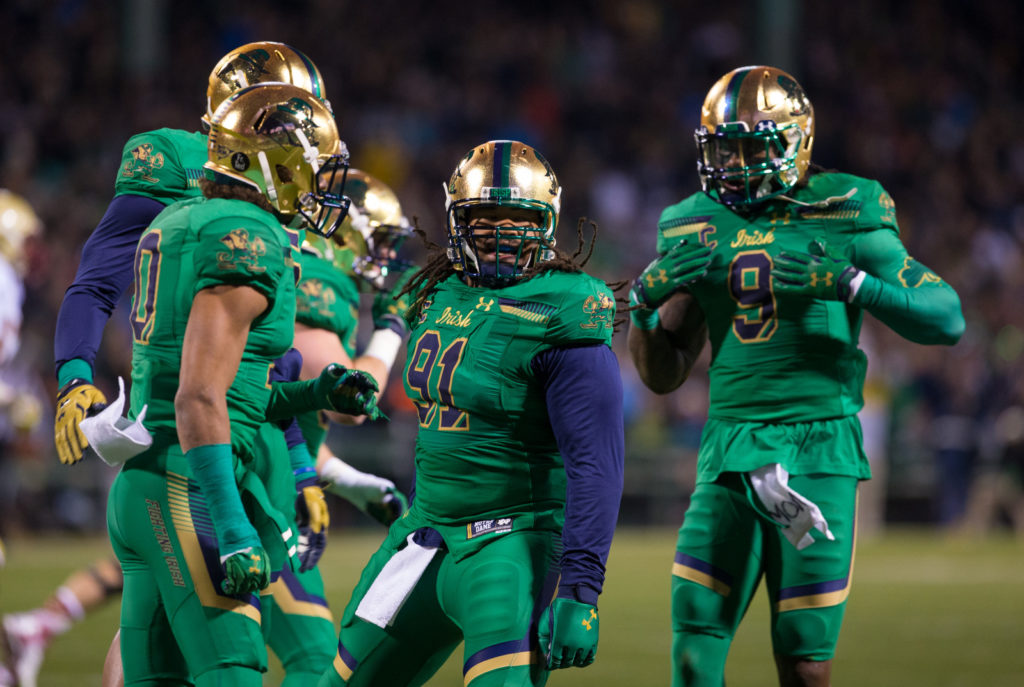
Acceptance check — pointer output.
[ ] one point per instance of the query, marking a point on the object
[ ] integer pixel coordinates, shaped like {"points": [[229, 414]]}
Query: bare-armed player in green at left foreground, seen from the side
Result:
{"points": [[214, 308]]}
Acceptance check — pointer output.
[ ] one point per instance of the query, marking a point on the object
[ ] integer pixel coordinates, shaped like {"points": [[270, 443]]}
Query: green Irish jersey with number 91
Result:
{"points": [[486, 448]]}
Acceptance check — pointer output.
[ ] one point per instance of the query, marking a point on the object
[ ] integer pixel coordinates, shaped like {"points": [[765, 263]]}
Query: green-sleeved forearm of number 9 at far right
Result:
{"points": [[927, 315]]}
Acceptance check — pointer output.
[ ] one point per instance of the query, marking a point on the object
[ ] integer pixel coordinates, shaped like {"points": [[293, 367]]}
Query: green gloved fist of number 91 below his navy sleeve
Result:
{"points": [[569, 633]]}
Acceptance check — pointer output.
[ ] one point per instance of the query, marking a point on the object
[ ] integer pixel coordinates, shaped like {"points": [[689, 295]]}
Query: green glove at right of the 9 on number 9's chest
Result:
{"points": [[820, 274]]}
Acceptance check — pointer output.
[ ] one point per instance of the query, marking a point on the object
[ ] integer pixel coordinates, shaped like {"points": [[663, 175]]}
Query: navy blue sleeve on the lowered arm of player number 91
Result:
{"points": [[584, 394]]}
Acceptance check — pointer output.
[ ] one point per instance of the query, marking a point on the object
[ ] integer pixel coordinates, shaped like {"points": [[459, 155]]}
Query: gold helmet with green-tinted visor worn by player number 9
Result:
{"points": [[757, 128]]}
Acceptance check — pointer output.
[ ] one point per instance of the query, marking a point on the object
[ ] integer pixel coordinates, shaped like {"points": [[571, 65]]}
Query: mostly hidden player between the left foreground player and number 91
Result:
{"points": [[303, 633]]}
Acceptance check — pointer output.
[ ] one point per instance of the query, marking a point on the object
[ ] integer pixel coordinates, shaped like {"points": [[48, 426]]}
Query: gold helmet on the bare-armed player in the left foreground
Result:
{"points": [[283, 142]]}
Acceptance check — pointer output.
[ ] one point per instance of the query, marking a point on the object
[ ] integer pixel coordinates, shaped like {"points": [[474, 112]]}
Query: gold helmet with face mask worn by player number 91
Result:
{"points": [[501, 175]]}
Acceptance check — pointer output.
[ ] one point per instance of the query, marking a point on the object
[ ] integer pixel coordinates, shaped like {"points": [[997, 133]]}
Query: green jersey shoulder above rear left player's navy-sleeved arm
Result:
{"points": [[165, 165]]}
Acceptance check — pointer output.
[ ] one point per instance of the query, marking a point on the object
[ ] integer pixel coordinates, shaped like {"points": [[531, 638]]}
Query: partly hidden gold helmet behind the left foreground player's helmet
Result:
{"points": [[258, 63]]}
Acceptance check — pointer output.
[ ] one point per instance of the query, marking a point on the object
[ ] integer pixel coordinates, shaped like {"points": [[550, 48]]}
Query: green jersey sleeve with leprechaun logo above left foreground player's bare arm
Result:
{"points": [[242, 251]]}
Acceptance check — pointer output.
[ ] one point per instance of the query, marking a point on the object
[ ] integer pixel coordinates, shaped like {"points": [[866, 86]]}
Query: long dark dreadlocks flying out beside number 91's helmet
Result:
{"points": [[440, 268]]}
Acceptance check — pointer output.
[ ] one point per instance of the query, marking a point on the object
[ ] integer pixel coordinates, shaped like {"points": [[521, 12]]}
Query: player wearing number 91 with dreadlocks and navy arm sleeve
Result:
{"points": [[519, 455]]}
